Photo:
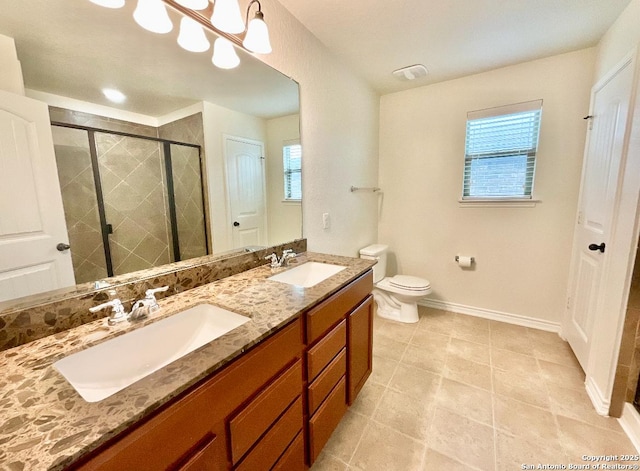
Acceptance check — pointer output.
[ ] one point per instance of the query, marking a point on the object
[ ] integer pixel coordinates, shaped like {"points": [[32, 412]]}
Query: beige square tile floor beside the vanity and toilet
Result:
{"points": [[455, 392]]}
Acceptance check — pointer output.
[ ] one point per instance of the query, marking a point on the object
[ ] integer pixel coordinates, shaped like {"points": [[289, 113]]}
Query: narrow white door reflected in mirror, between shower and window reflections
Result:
{"points": [[246, 191]]}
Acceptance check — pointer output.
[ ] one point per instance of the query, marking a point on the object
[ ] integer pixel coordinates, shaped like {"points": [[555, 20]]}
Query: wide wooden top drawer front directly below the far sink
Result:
{"points": [[322, 317]]}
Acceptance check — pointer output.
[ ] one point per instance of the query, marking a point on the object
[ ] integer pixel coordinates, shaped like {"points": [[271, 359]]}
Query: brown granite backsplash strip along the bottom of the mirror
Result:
{"points": [[46, 315]]}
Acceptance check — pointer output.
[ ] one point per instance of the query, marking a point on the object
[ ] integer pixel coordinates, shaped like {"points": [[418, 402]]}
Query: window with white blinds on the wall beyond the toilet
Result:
{"points": [[500, 152]]}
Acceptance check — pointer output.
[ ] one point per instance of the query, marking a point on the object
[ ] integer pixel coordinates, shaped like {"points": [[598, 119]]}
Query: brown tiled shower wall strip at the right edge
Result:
{"points": [[628, 369]]}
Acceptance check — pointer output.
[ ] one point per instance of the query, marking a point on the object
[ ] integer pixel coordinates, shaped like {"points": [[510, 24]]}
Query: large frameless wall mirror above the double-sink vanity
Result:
{"points": [[195, 160]]}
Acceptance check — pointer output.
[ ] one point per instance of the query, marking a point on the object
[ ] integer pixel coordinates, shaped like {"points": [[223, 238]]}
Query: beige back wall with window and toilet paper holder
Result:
{"points": [[522, 253]]}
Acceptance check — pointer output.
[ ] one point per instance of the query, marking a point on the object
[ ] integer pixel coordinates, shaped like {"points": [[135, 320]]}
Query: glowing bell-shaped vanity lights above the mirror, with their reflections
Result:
{"points": [[225, 20]]}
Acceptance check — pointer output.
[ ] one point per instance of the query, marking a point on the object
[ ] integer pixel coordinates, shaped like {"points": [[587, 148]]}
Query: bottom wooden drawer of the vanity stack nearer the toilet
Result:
{"points": [[326, 419]]}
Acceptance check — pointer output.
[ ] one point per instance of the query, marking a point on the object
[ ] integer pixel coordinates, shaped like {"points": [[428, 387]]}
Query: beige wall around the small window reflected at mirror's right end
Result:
{"points": [[285, 218]]}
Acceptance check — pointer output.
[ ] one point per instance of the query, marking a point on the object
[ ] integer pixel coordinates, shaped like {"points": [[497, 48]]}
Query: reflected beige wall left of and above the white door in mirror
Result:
{"points": [[217, 122]]}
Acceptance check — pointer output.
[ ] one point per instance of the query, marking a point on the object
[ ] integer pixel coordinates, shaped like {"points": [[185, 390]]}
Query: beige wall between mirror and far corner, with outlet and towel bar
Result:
{"points": [[339, 126]]}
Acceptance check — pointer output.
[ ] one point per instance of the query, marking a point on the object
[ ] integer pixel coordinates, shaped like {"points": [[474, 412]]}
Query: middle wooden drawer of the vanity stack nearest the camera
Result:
{"points": [[265, 454]]}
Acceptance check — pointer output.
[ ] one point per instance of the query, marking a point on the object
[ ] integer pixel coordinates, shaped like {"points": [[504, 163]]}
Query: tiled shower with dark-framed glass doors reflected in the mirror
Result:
{"points": [[132, 201]]}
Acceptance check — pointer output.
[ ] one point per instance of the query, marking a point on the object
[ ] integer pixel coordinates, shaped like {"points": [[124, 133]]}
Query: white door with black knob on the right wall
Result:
{"points": [[599, 194]]}
